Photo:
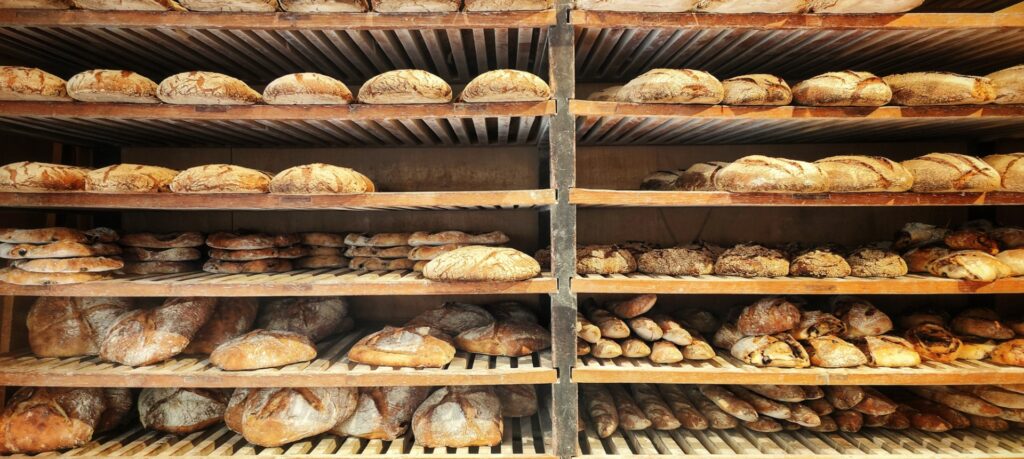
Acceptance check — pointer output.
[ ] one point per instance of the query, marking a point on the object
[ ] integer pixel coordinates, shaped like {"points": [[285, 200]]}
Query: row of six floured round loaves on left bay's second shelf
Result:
{"points": [[208, 89]]}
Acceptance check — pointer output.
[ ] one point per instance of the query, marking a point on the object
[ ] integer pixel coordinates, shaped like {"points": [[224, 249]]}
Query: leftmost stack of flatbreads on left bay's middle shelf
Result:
{"points": [[59, 256]]}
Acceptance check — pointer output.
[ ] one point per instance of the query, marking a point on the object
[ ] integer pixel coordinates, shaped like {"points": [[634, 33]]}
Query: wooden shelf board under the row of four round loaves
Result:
{"points": [[520, 199]]}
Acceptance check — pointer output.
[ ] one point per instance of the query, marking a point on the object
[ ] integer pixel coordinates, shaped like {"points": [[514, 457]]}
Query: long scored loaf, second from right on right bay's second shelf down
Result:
{"points": [[940, 89]]}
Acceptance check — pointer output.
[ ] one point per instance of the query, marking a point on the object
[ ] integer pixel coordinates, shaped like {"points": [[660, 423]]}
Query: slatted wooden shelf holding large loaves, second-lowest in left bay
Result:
{"points": [[332, 368]]}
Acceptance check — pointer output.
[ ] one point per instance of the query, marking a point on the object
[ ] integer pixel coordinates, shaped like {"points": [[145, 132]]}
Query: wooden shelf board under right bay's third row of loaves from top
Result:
{"points": [[617, 198]]}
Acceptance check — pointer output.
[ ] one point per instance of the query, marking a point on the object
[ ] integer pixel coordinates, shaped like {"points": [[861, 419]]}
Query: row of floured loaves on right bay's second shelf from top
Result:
{"points": [[847, 89]]}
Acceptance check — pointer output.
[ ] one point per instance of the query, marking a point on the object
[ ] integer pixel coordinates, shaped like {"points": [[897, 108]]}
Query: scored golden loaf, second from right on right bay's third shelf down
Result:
{"points": [[949, 173]]}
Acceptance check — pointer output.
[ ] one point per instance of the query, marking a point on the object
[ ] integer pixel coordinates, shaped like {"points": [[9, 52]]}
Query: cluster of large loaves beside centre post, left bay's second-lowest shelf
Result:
{"points": [[431, 340]]}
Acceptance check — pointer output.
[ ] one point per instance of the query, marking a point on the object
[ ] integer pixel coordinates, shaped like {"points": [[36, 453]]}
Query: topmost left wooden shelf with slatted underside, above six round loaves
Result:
{"points": [[260, 48]]}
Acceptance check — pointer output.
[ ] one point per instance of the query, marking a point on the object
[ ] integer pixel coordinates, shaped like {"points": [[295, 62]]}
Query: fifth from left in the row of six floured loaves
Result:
{"points": [[406, 87]]}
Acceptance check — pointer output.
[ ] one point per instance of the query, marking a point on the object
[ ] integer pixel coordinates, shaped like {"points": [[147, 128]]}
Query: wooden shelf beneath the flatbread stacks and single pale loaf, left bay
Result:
{"points": [[297, 283]]}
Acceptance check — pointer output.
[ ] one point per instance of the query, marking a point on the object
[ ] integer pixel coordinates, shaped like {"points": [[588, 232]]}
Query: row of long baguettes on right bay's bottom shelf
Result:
{"points": [[769, 408]]}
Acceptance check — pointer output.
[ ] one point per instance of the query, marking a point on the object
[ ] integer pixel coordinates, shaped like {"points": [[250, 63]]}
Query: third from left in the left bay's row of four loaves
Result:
{"points": [[222, 179]]}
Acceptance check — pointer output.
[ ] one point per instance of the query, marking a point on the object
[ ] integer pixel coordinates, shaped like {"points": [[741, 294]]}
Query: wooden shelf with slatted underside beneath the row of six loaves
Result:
{"points": [[357, 126]]}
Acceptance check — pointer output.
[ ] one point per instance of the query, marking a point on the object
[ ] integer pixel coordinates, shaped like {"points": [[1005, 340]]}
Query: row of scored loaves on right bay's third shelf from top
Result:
{"points": [[936, 173]]}
